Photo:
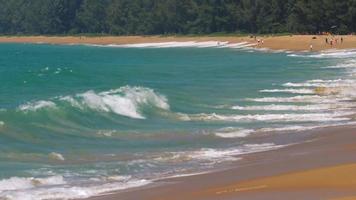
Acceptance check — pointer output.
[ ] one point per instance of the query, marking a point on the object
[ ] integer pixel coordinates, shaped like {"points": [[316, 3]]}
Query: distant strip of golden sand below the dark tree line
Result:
{"points": [[286, 42]]}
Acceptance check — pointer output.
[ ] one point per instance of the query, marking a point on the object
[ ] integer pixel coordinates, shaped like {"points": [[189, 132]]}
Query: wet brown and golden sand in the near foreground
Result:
{"points": [[323, 167]]}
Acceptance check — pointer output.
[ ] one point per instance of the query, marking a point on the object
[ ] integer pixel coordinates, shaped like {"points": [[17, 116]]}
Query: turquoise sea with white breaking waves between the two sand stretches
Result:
{"points": [[76, 121]]}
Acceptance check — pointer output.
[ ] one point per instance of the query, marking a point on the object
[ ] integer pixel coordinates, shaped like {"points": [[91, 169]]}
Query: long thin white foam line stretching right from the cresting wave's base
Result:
{"points": [[310, 117]]}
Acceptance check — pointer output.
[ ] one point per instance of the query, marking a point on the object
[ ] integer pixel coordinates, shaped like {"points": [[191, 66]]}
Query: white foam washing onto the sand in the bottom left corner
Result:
{"points": [[55, 188]]}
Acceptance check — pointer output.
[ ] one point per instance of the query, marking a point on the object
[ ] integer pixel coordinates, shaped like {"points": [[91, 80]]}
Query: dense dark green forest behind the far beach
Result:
{"points": [[145, 17]]}
